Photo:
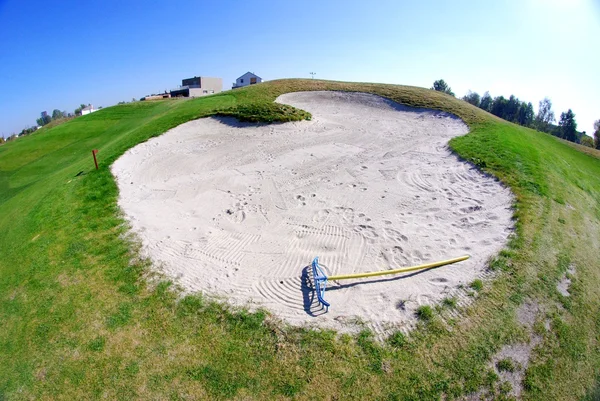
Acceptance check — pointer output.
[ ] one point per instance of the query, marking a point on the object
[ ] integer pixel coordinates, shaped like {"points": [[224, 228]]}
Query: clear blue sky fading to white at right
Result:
{"points": [[61, 54]]}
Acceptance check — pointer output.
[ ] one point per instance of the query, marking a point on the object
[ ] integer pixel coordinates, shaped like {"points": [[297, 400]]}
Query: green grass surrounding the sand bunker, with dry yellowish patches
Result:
{"points": [[83, 316]]}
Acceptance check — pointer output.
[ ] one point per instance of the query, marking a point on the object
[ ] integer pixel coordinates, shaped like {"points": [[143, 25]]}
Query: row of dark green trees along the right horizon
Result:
{"points": [[522, 113]]}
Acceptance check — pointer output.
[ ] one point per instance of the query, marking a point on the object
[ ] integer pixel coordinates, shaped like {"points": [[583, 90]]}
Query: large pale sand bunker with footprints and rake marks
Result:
{"points": [[239, 211]]}
